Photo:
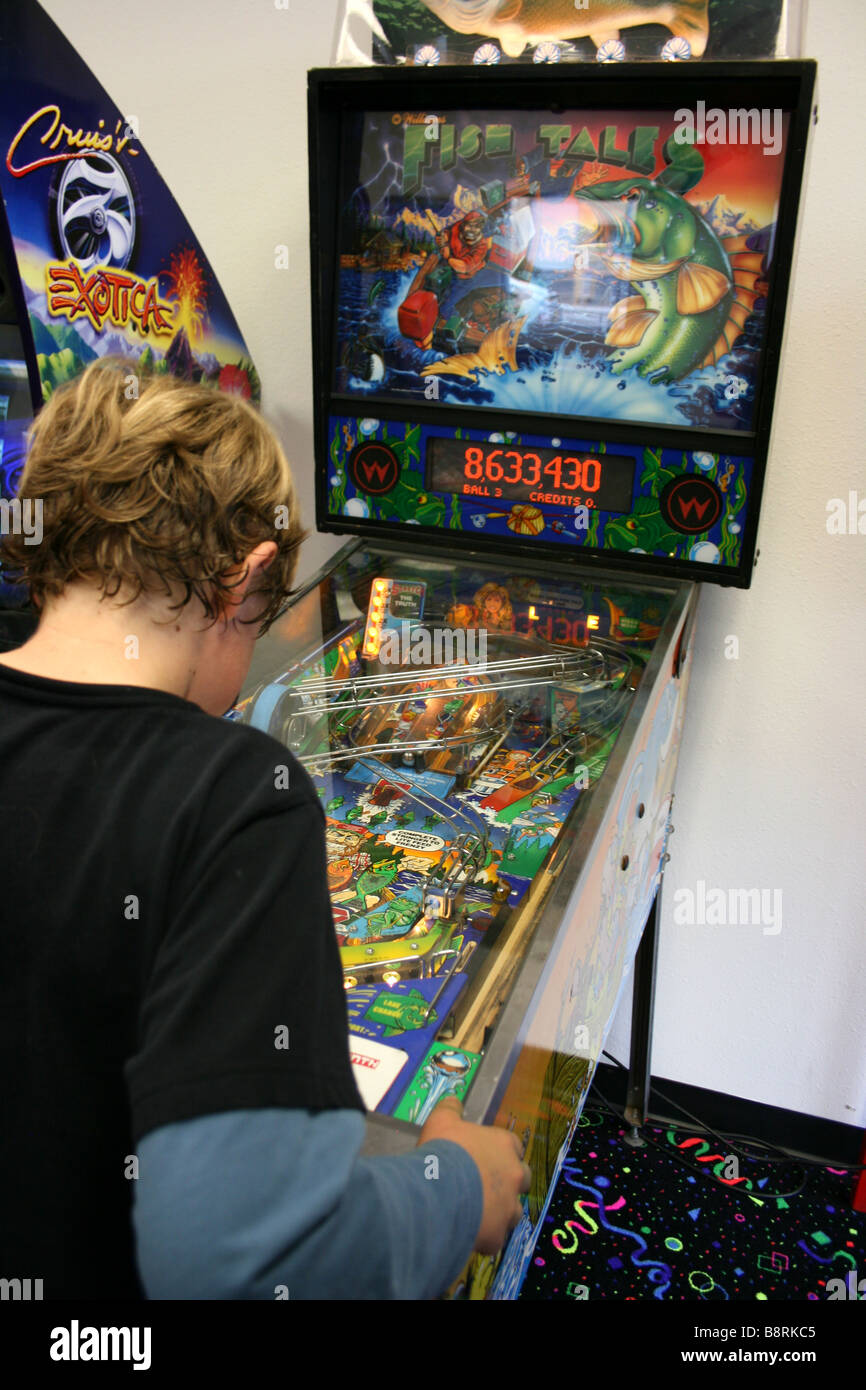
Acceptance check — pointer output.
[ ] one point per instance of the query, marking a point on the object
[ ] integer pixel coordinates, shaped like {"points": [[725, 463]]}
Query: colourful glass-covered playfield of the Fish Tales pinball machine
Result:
{"points": [[454, 721]]}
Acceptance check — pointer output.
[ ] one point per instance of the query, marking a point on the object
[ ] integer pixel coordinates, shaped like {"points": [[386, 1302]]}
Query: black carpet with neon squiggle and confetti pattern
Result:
{"points": [[642, 1224]]}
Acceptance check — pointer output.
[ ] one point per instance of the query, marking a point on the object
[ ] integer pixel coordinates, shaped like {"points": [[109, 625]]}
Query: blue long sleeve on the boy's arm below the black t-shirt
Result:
{"points": [[276, 1203]]}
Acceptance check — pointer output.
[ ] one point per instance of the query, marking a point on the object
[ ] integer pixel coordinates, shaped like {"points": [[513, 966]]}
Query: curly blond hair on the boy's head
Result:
{"points": [[148, 484]]}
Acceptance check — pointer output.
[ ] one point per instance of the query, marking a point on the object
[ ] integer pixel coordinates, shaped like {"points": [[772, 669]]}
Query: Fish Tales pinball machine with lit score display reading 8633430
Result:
{"points": [[548, 320]]}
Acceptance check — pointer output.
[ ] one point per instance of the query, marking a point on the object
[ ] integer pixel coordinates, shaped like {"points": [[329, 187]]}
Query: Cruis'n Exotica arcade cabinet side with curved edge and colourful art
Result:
{"points": [[97, 258]]}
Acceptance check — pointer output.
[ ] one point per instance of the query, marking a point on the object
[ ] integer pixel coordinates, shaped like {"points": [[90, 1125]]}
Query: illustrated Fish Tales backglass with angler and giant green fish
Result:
{"points": [[598, 266]]}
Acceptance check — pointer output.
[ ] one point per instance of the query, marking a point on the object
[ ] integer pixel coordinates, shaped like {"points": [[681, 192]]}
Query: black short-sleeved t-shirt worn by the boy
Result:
{"points": [[166, 951]]}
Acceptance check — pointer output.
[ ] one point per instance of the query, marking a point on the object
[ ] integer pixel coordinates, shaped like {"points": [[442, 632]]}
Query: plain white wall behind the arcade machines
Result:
{"points": [[774, 767]]}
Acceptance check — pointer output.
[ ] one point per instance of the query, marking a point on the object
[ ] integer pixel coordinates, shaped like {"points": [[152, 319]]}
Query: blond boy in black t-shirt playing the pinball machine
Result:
{"points": [[165, 911]]}
